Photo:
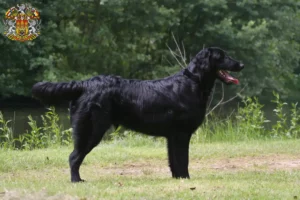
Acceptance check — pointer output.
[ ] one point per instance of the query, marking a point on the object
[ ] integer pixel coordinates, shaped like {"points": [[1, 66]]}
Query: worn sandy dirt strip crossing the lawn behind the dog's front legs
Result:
{"points": [[266, 163]]}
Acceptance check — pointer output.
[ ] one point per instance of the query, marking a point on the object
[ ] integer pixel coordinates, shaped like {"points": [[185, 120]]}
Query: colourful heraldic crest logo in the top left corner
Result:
{"points": [[22, 23]]}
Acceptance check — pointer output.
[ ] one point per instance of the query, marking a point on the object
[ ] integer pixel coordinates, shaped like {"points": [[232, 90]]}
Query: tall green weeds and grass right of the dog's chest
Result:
{"points": [[249, 123]]}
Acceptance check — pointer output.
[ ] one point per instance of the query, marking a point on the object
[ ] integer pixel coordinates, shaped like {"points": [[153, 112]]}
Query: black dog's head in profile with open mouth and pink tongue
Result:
{"points": [[215, 60]]}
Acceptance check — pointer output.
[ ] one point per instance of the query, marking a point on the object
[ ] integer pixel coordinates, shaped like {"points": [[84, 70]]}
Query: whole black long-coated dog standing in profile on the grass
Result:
{"points": [[172, 107]]}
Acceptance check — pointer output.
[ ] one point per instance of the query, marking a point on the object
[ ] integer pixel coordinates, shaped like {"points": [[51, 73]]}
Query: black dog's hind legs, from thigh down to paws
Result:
{"points": [[87, 134]]}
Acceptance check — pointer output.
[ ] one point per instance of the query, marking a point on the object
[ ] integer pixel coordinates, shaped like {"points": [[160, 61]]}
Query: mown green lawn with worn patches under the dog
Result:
{"points": [[241, 170]]}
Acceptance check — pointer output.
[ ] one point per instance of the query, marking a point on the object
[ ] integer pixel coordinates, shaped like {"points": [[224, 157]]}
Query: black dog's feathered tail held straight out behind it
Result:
{"points": [[53, 93]]}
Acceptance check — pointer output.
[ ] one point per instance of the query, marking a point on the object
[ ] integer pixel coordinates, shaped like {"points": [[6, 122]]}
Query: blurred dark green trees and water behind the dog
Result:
{"points": [[141, 38]]}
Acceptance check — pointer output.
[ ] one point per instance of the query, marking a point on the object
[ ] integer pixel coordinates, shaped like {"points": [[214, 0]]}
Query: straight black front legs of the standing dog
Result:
{"points": [[178, 149]]}
